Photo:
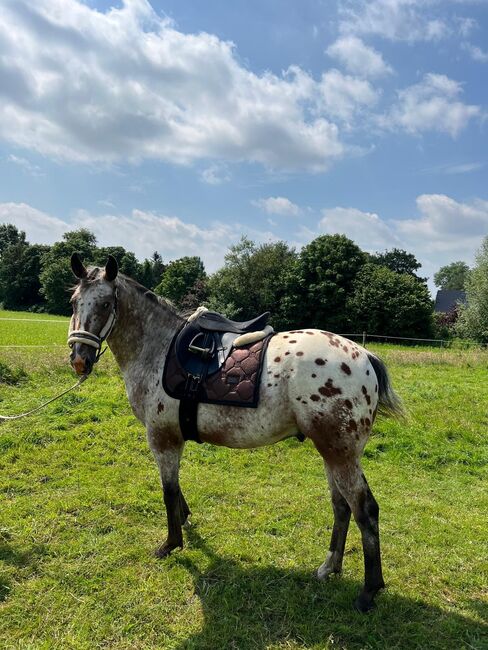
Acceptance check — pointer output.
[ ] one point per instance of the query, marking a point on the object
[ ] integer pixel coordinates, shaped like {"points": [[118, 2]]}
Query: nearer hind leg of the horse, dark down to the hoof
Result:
{"points": [[354, 488]]}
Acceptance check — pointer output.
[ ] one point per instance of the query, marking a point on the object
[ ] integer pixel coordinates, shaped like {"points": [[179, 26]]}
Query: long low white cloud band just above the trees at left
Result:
{"points": [[141, 232]]}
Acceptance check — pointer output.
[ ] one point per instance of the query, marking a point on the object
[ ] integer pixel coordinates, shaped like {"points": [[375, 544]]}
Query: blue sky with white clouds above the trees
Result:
{"points": [[181, 125]]}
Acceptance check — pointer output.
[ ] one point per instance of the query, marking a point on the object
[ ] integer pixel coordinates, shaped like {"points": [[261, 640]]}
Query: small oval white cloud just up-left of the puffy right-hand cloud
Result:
{"points": [[358, 58]]}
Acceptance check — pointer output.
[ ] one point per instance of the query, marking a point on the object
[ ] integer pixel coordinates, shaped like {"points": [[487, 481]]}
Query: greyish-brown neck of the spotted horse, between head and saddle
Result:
{"points": [[143, 329]]}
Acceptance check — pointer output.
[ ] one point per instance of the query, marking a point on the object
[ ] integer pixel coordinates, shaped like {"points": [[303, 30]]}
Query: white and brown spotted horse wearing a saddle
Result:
{"points": [[313, 382]]}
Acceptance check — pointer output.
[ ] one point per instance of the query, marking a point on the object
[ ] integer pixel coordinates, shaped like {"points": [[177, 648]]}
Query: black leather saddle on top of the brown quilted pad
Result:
{"points": [[204, 344]]}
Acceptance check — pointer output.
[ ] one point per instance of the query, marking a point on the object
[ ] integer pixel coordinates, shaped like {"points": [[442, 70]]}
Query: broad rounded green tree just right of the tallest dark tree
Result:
{"points": [[386, 302]]}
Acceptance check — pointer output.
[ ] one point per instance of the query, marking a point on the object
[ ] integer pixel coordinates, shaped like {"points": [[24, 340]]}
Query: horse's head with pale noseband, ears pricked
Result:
{"points": [[94, 312]]}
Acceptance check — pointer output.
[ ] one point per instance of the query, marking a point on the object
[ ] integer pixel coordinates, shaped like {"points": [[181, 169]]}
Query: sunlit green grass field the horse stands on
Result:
{"points": [[81, 512]]}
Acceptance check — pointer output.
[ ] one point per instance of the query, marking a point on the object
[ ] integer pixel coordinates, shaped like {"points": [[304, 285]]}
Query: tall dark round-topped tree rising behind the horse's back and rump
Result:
{"points": [[327, 269]]}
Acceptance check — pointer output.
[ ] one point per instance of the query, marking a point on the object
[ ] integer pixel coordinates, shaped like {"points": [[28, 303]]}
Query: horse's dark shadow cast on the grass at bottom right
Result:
{"points": [[257, 608]]}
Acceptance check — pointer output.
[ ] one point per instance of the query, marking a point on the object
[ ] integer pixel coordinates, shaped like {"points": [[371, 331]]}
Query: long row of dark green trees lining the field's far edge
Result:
{"points": [[329, 284]]}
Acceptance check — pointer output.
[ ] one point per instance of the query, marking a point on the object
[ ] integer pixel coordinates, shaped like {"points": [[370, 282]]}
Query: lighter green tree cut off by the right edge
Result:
{"points": [[473, 317]]}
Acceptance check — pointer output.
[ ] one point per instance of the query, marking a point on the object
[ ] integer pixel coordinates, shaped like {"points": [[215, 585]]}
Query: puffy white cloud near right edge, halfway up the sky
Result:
{"points": [[431, 105]]}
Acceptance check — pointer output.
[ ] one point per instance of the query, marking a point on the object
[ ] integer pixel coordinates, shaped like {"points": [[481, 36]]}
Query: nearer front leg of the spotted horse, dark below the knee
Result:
{"points": [[167, 455]]}
